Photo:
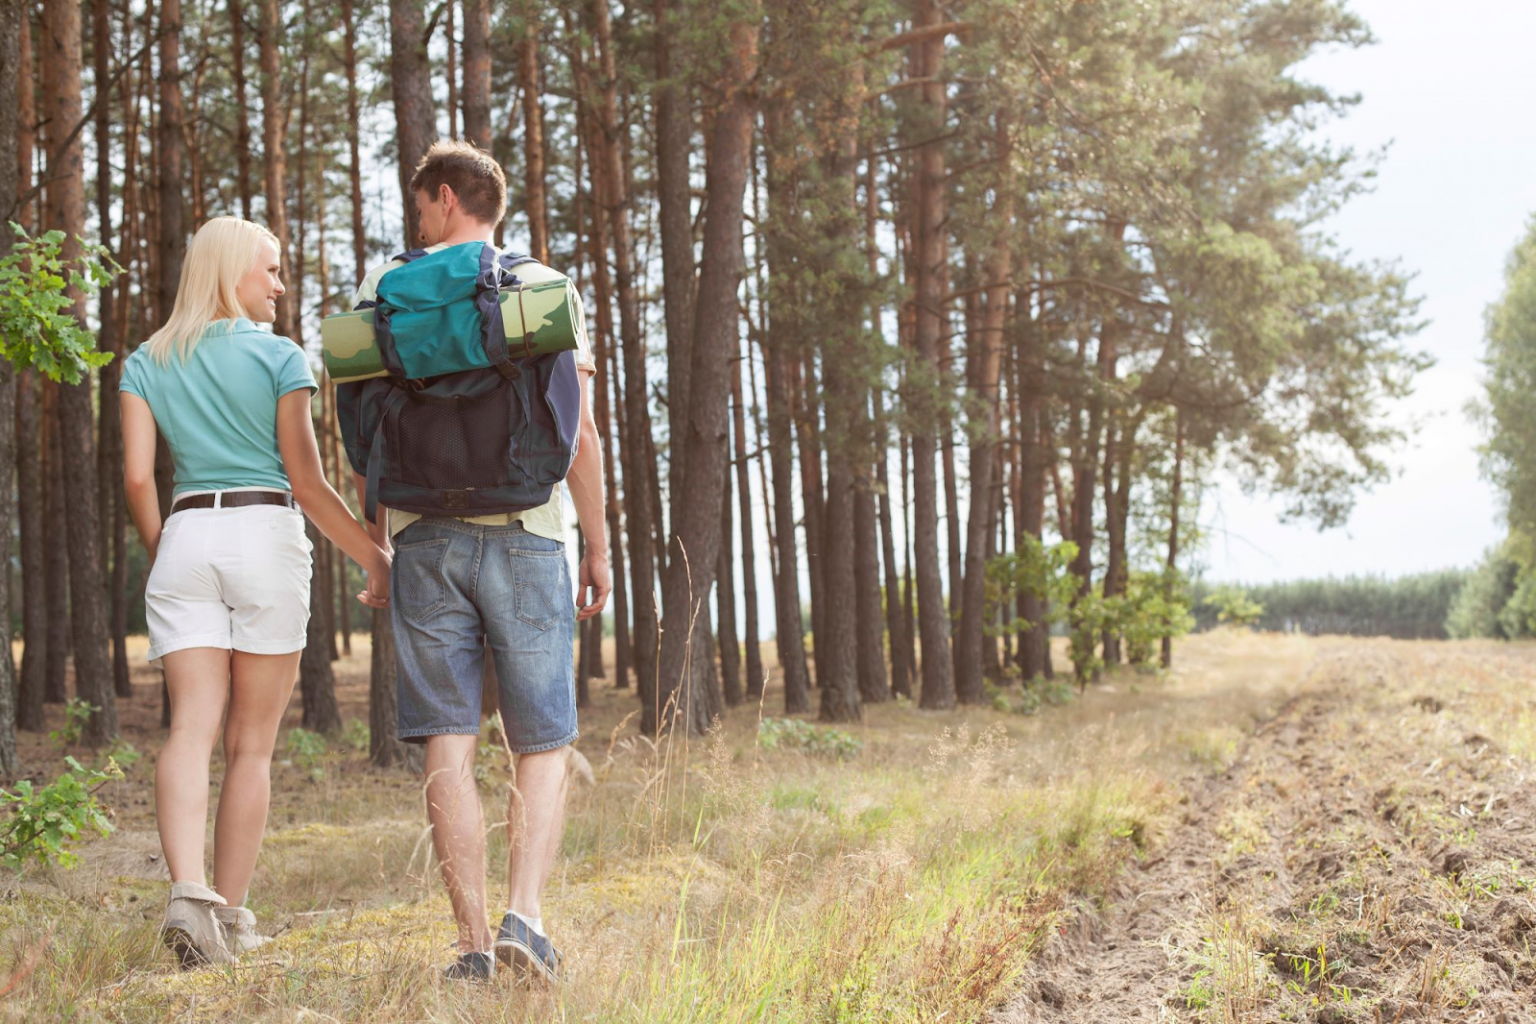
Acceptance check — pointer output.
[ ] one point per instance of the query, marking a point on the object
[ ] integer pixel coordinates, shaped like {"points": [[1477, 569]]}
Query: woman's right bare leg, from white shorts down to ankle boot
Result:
{"points": [[260, 693]]}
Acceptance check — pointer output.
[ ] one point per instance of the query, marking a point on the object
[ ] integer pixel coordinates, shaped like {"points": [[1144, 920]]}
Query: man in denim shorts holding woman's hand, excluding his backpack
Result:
{"points": [[492, 583]]}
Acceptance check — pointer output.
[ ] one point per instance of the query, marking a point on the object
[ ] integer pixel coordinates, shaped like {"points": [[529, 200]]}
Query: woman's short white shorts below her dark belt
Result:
{"points": [[230, 578]]}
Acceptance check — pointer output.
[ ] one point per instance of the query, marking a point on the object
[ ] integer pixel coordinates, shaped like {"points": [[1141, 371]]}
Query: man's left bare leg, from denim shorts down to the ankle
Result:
{"points": [[457, 834]]}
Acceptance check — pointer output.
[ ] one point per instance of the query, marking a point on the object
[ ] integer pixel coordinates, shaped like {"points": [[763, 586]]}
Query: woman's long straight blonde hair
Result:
{"points": [[220, 254]]}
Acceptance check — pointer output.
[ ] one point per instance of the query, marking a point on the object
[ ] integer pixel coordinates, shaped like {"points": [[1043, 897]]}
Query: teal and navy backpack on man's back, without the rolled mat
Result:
{"points": [[460, 426]]}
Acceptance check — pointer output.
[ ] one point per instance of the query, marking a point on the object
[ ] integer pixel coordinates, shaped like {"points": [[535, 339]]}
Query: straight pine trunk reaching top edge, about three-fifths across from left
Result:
{"points": [[930, 257]]}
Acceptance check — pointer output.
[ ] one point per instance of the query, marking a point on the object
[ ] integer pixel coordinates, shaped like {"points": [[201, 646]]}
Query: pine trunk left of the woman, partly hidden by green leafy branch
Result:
{"points": [[67, 211]]}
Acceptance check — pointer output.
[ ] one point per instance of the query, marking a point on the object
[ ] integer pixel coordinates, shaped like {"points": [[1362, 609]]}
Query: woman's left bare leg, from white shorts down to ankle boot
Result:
{"points": [[197, 681]]}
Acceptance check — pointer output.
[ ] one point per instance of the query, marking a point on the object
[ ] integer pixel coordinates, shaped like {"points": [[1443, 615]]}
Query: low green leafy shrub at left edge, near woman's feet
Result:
{"points": [[44, 824]]}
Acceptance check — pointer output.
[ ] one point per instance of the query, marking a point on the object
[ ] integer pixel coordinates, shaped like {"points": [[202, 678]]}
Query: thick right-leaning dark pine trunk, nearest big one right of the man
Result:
{"points": [[687, 583]]}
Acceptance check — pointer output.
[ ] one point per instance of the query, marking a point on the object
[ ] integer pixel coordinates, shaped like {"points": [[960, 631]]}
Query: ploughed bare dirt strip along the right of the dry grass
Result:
{"points": [[1371, 856]]}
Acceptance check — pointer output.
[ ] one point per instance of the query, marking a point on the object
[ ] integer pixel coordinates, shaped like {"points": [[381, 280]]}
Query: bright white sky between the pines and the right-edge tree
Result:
{"points": [[1451, 88]]}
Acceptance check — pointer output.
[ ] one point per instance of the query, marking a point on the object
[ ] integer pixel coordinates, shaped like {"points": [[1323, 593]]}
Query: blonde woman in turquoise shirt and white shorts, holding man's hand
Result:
{"points": [[228, 593]]}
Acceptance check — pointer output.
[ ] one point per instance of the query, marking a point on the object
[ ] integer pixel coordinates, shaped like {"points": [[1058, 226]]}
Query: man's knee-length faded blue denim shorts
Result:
{"points": [[457, 590]]}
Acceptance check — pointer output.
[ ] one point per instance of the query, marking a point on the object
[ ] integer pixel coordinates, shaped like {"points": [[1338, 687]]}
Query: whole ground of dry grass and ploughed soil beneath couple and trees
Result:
{"points": [[1279, 830]]}
